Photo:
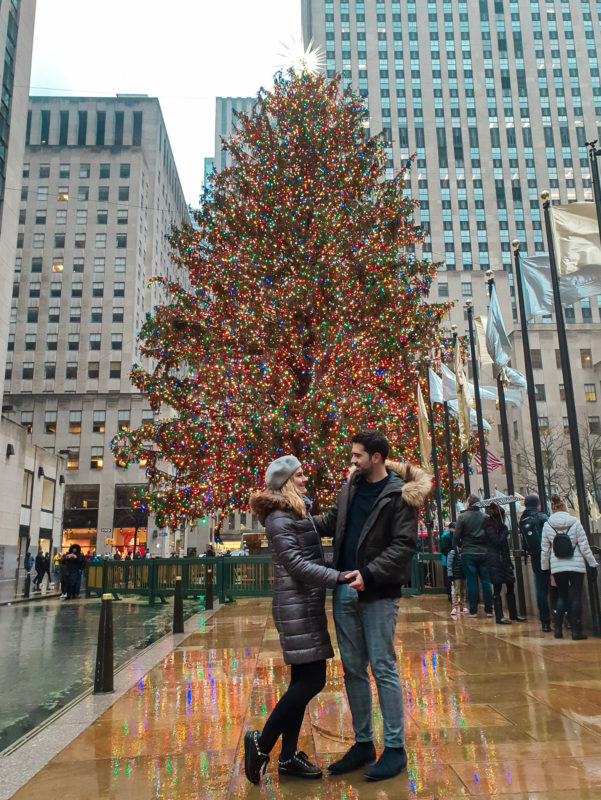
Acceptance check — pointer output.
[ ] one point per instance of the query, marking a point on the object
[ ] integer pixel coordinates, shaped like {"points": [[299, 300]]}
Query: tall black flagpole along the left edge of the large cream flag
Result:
{"points": [[570, 404]]}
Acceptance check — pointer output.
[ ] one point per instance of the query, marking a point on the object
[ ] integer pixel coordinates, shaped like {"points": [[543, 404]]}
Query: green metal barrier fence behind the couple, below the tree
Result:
{"points": [[230, 577]]}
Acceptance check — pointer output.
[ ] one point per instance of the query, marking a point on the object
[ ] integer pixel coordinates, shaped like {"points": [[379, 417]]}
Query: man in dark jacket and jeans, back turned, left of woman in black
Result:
{"points": [[471, 542]]}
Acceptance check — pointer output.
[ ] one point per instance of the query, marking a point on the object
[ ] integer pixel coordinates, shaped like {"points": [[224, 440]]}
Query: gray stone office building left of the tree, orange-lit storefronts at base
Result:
{"points": [[100, 192]]}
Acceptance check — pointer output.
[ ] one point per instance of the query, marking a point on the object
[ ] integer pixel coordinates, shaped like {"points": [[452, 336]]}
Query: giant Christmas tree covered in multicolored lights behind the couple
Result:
{"points": [[299, 315]]}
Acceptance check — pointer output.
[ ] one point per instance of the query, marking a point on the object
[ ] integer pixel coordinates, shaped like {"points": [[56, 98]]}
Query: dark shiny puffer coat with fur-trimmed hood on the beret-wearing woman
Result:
{"points": [[300, 579]]}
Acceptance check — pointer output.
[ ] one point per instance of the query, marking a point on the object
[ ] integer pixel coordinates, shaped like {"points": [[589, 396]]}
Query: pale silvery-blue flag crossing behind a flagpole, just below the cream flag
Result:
{"points": [[538, 289]]}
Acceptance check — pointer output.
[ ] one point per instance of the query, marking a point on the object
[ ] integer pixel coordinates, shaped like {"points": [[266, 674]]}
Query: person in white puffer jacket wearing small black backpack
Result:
{"points": [[565, 551]]}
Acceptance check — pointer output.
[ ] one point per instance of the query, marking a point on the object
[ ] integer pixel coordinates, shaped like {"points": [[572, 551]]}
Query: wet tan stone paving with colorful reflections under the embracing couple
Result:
{"points": [[491, 711]]}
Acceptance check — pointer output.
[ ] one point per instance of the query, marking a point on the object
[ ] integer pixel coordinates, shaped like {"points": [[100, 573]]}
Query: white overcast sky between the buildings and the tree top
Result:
{"points": [[185, 52]]}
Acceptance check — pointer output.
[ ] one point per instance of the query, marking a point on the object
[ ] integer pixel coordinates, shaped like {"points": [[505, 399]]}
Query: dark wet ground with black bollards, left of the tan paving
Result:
{"points": [[48, 653]]}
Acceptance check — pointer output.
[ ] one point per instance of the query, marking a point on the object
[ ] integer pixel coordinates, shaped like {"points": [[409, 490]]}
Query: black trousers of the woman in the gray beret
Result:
{"points": [[306, 680]]}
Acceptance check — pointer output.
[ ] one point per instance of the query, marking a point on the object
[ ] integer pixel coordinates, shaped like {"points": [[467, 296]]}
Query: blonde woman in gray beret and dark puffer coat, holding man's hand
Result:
{"points": [[300, 578]]}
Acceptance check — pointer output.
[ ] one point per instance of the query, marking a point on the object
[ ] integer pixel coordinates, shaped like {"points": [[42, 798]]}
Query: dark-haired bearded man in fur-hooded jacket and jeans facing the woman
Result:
{"points": [[374, 526]]}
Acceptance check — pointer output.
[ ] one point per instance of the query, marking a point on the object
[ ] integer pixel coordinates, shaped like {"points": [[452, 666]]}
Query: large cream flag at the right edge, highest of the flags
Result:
{"points": [[576, 237]]}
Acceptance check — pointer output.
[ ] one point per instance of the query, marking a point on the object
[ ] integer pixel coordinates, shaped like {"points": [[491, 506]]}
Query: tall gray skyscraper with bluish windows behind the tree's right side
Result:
{"points": [[496, 100]]}
